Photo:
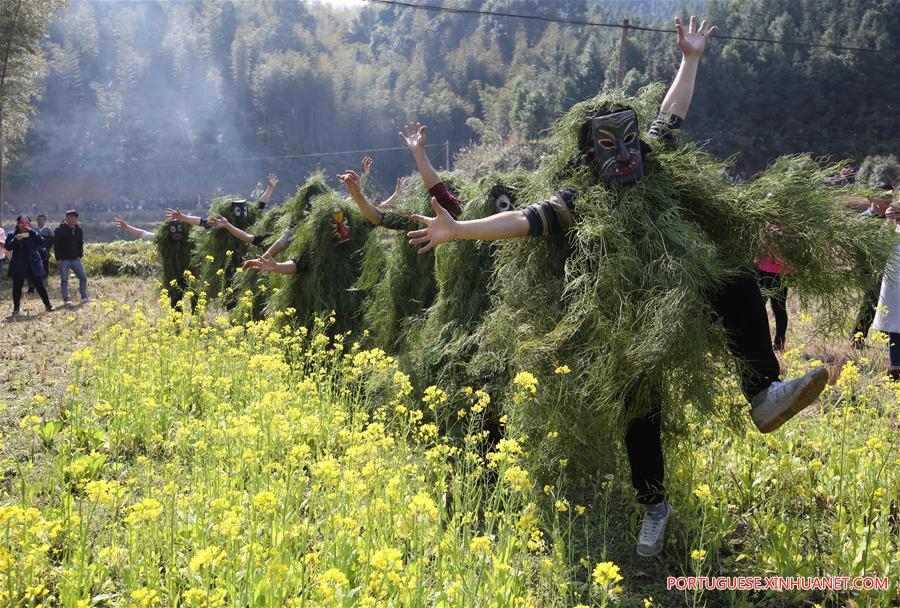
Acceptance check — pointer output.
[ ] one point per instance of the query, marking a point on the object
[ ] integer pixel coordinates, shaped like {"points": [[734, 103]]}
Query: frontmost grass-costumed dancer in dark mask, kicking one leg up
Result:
{"points": [[645, 284]]}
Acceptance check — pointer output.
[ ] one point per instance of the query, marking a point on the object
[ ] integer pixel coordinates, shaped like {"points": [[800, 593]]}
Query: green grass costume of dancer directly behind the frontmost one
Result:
{"points": [[444, 340]]}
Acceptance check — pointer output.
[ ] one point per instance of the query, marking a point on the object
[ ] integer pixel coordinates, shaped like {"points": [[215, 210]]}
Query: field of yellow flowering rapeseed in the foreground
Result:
{"points": [[193, 462]]}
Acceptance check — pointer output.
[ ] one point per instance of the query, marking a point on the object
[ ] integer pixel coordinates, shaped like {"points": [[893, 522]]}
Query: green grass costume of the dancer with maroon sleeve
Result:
{"points": [[406, 287]]}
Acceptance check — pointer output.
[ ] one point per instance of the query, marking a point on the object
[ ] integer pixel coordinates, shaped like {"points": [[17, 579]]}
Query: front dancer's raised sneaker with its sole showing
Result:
{"points": [[780, 402]]}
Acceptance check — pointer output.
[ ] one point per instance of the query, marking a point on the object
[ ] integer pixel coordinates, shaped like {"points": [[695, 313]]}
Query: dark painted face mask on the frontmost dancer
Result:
{"points": [[617, 148]]}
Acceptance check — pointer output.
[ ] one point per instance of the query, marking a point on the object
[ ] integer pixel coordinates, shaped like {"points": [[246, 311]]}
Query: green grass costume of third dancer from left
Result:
{"points": [[252, 288]]}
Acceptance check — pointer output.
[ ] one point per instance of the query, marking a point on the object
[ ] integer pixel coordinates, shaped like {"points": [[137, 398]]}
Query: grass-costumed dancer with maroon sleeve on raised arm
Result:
{"points": [[405, 287]]}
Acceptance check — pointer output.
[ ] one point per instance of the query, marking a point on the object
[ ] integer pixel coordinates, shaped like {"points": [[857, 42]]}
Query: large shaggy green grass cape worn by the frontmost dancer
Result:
{"points": [[617, 311]]}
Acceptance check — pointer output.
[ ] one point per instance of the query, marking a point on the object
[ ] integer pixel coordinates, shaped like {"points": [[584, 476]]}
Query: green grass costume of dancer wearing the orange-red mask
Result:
{"points": [[327, 272]]}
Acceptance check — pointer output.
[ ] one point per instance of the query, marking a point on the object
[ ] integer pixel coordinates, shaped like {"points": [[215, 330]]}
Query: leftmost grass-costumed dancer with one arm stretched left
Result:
{"points": [[175, 248]]}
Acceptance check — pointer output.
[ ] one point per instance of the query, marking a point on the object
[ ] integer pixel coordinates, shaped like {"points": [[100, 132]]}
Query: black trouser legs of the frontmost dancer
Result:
{"points": [[742, 310]]}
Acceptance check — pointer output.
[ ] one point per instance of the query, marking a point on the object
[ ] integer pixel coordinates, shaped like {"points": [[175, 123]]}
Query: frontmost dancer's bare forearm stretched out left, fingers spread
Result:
{"points": [[443, 228]]}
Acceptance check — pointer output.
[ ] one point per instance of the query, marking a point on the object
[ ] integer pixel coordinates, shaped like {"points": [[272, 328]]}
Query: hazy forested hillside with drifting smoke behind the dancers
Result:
{"points": [[177, 99]]}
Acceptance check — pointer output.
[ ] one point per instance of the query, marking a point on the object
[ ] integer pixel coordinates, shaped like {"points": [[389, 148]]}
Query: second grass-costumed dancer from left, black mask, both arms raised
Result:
{"points": [[215, 265]]}
